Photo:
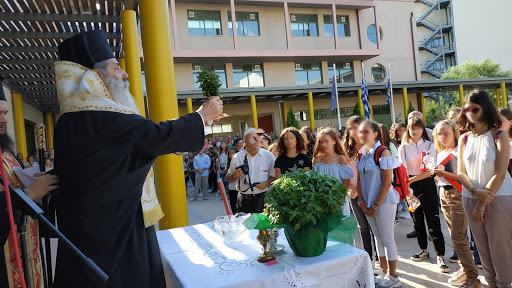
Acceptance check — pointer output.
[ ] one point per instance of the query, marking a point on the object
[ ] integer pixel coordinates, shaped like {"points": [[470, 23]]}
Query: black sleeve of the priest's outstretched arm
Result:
{"points": [[184, 134]]}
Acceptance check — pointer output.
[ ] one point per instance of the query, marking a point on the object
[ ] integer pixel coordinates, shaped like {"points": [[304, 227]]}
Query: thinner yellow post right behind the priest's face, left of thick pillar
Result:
{"points": [[132, 56]]}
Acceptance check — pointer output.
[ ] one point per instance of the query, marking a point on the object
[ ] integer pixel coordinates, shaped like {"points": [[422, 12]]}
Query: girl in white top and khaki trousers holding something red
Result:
{"points": [[446, 136]]}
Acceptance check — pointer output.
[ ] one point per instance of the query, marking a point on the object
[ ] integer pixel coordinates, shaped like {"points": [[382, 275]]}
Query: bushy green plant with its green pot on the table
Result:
{"points": [[308, 205]]}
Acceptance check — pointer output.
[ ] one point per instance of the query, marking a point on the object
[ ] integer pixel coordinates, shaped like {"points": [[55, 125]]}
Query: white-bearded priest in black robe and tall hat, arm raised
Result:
{"points": [[103, 152]]}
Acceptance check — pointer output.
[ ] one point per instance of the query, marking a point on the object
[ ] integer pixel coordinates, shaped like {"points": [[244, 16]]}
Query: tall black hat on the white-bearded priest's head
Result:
{"points": [[86, 49]]}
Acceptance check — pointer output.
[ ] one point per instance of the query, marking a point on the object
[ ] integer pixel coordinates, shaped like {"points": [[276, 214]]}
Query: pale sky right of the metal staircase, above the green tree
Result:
{"points": [[488, 37]]}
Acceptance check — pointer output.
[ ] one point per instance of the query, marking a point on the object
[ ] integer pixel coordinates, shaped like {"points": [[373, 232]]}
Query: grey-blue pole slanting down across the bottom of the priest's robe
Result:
{"points": [[28, 207]]}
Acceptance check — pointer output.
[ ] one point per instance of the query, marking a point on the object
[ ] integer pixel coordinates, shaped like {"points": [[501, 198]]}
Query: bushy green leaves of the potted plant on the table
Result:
{"points": [[299, 199]]}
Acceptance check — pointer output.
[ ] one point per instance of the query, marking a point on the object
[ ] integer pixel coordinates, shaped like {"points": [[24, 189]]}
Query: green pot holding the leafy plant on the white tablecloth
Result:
{"points": [[307, 241]]}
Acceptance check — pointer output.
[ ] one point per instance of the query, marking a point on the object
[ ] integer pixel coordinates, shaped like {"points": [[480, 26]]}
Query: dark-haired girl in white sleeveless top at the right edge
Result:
{"points": [[487, 187]]}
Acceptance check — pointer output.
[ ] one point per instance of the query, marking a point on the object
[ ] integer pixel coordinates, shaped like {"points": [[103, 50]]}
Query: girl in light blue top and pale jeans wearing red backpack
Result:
{"points": [[378, 199]]}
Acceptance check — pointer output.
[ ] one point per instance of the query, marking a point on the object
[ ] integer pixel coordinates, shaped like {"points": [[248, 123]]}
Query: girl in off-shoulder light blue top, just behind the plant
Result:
{"points": [[330, 159]]}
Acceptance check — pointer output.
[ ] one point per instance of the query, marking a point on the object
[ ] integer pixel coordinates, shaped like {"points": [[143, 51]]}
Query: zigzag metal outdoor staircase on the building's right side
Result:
{"points": [[436, 28]]}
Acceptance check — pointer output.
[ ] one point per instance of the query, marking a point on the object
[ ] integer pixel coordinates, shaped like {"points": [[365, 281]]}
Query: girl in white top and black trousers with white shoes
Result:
{"points": [[414, 148]]}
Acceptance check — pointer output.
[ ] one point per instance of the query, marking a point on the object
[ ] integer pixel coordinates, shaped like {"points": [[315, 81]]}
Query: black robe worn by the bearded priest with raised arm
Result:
{"points": [[102, 159]]}
